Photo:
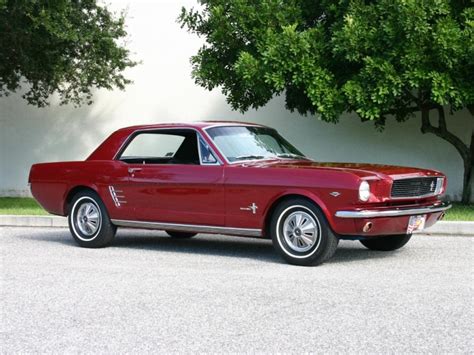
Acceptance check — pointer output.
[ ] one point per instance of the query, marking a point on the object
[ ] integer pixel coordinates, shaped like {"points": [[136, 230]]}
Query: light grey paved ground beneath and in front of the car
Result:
{"points": [[150, 293]]}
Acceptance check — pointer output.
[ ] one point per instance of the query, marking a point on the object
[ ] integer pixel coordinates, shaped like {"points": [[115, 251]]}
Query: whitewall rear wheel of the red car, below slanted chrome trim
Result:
{"points": [[89, 221]]}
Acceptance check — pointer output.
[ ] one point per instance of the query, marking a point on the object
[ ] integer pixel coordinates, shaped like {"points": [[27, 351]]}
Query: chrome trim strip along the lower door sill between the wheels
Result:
{"points": [[188, 227]]}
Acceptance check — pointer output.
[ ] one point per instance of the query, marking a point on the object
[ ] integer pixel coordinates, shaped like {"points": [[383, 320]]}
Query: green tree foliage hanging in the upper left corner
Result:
{"points": [[62, 46]]}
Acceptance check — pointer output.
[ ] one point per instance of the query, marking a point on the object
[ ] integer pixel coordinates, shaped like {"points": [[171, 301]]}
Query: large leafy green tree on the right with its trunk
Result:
{"points": [[376, 58]]}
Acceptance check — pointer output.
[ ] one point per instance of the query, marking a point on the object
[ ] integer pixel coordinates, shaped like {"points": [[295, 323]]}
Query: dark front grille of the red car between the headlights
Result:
{"points": [[416, 187]]}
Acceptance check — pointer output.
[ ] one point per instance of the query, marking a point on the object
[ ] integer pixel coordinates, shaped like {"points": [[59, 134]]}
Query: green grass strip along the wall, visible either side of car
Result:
{"points": [[28, 206]]}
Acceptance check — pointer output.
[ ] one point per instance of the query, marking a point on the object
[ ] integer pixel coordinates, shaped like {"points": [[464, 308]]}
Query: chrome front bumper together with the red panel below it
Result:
{"points": [[388, 220]]}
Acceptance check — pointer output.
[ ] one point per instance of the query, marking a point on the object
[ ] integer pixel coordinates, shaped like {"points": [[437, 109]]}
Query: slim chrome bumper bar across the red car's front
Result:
{"points": [[395, 212]]}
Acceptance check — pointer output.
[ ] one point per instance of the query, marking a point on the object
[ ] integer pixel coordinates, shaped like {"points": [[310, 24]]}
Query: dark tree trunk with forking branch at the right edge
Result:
{"points": [[466, 152]]}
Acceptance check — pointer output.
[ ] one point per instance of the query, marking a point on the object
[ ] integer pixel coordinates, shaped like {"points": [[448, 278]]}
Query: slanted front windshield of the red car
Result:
{"points": [[239, 143]]}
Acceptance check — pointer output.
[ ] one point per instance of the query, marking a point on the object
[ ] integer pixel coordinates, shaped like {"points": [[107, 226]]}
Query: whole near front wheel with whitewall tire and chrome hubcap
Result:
{"points": [[301, 234]]}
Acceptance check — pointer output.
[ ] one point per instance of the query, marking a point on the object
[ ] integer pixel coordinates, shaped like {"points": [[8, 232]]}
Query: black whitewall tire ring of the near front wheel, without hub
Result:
{"points": [[313, 255]]}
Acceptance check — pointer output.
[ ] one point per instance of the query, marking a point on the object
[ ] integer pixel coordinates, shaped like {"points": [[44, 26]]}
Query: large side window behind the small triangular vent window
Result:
{"points": [[165, 147]]}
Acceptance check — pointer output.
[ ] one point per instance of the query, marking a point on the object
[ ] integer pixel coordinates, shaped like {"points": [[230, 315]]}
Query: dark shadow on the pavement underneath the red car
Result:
{"points": [[238, 247]]}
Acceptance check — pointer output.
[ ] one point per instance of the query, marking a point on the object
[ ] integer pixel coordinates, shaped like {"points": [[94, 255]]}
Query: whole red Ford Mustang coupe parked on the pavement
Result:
{"points": [[238, 179]]}
